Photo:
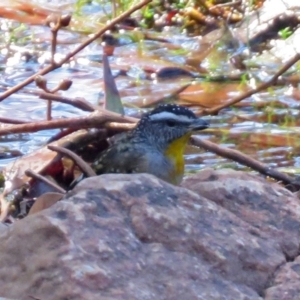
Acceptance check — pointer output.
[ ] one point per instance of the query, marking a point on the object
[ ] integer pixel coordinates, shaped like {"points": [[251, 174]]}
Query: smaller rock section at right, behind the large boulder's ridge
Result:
{"points": [[266, 206]]}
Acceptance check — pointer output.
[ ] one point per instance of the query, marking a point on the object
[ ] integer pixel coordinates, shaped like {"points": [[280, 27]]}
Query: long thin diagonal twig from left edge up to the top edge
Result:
{"points": [[56, 65]]}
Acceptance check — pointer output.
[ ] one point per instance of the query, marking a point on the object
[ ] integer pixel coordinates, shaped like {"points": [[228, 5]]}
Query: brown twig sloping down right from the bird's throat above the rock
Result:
{"points": [[244, 160]]}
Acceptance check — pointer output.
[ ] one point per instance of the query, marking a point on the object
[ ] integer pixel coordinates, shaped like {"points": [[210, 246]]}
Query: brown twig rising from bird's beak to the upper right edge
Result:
{"points": [[263, 86]]}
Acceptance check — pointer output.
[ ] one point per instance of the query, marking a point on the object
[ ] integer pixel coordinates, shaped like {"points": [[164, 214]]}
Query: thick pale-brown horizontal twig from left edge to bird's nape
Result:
{"points": [[95, 120]]}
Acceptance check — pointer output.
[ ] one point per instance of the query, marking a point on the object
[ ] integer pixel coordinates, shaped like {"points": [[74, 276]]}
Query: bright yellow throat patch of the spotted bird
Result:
{"points": [[175, 153]]}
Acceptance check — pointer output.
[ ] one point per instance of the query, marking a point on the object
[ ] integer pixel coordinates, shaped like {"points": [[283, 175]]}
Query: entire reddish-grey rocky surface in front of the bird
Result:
{"points": [[223, 235]]}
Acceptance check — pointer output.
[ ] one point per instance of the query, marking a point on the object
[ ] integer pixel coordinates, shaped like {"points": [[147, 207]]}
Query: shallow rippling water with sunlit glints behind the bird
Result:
{"points": [[266, 125]]}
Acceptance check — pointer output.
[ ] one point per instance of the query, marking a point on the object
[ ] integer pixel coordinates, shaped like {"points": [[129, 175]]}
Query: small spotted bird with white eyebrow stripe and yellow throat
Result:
{"points": [[155, 146]]}
